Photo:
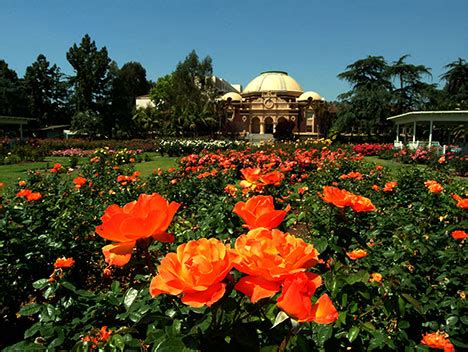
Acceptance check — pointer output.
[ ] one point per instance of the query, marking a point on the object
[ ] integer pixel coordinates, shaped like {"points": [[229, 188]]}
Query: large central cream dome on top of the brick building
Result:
{"points": [[273, 81]]}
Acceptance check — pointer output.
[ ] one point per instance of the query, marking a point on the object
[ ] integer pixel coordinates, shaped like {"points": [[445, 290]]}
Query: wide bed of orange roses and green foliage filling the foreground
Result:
{"points": [[260, 248]]}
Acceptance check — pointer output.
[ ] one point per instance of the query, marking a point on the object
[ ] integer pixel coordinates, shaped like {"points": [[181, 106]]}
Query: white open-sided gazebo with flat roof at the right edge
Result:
{"points": [[412, 119]]}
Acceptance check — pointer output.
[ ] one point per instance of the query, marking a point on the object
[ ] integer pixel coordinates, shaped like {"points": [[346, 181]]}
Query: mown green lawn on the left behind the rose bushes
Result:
{"points": [[10, 174]]}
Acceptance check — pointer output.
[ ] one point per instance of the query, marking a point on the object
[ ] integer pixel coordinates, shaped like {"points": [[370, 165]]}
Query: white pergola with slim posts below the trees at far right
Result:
{"points": [[412, 118]]}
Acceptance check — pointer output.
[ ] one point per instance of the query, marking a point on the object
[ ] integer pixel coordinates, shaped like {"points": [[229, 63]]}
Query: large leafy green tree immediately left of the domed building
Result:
{"points": [[186, 97]]}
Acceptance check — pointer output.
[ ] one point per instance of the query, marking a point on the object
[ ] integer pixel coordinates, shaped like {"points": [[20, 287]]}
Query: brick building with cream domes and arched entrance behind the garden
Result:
{"points": [[266, 101]]}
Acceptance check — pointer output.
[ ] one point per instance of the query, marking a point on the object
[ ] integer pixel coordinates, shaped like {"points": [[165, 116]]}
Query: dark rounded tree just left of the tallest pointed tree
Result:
{"points": [[46, 91]]}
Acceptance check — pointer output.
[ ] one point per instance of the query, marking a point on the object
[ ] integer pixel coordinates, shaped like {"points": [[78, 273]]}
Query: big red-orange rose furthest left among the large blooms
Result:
{"points": [[147, 217]]}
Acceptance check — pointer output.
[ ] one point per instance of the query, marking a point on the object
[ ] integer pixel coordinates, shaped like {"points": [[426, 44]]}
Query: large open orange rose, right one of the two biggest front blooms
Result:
{"points": [[268, 257]]}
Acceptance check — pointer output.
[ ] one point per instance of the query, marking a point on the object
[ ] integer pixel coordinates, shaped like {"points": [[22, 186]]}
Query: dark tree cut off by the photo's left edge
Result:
{"points": [[13, 100]]}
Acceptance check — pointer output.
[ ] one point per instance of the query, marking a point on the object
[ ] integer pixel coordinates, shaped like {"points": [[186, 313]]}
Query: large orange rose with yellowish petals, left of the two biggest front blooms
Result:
{"points": [[196, 272]]}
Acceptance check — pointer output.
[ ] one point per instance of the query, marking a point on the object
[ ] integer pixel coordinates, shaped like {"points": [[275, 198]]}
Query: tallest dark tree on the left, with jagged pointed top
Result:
{"points": [[91, 79]]}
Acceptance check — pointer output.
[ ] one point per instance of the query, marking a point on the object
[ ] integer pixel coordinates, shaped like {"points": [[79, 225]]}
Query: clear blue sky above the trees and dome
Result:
{"points": [[312, 40]]}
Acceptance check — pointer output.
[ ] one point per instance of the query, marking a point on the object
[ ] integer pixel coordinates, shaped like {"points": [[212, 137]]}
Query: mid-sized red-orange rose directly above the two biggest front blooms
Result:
{"points": [[259, 211]]}
